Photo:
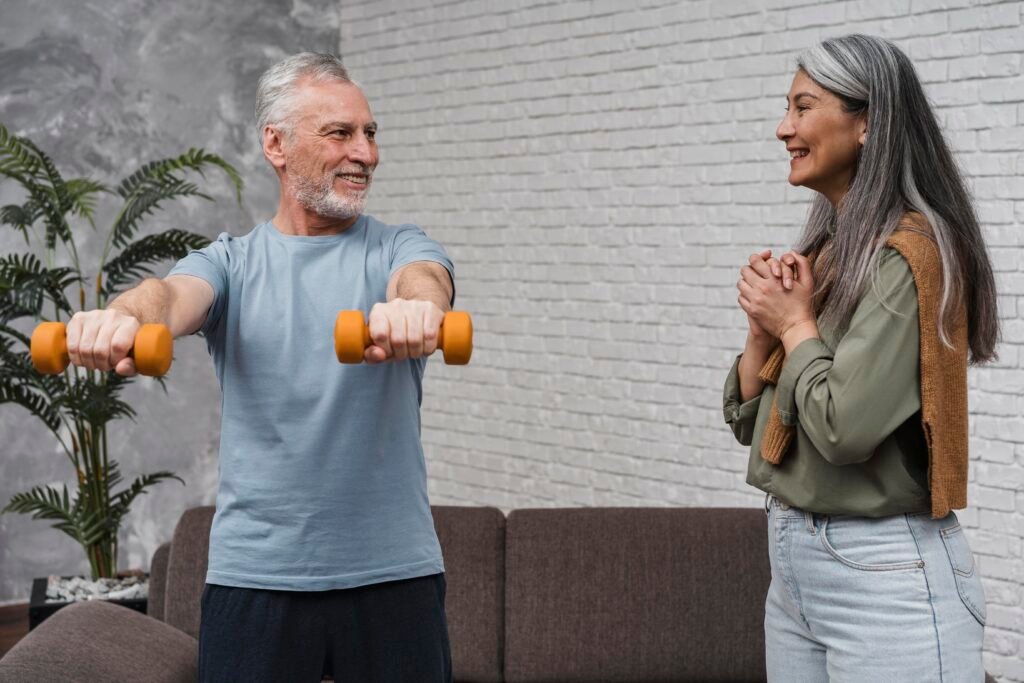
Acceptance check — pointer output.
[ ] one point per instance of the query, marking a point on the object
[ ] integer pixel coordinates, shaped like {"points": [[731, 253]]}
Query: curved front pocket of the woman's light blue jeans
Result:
{"points": [[872, 545]]}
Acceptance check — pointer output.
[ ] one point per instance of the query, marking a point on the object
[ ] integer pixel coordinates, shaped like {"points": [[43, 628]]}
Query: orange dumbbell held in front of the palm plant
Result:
{"points": [[153, 350]]}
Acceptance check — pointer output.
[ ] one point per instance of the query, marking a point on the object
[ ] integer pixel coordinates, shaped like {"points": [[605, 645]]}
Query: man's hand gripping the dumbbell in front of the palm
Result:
{"points": [[102, 340]]}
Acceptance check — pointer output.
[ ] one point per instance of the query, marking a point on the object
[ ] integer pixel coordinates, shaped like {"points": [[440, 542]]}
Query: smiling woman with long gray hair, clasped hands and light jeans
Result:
{"points": [[852, 387]]}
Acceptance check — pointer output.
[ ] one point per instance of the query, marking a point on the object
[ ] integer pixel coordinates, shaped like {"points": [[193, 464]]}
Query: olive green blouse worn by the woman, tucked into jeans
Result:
{"points": [[856, 400]]}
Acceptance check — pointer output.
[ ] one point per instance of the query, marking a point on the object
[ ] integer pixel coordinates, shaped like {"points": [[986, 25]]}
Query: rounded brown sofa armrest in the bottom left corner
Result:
{"points": [[100, 642]]}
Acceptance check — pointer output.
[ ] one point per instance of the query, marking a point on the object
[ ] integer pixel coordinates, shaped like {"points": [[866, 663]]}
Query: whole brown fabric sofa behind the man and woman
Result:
{"points": [[596, 595]]}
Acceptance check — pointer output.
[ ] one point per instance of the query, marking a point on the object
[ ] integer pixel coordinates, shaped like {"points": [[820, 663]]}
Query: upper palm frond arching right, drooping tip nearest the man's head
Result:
{"points": [[158, 182]]}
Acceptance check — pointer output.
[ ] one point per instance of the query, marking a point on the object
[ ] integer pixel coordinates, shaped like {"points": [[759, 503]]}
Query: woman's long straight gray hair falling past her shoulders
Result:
{"points": [[905, 165]]}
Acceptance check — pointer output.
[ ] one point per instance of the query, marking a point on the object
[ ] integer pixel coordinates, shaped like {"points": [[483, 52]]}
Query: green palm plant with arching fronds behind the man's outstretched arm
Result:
{"points": [[49, 282]]}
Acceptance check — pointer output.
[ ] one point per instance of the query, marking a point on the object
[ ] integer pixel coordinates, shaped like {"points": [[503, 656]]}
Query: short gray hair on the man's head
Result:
{"points": [[276, 94]]}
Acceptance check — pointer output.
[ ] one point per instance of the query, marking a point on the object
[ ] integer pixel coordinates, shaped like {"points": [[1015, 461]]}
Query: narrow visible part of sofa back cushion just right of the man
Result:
{"points": [[474, 544]]}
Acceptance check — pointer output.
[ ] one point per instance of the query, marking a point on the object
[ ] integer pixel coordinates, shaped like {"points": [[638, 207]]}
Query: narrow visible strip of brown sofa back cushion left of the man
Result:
{"points": [[187, 570]]}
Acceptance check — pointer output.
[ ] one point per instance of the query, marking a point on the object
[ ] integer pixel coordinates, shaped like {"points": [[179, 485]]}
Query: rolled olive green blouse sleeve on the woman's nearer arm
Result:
{"points": [[848, 402]]}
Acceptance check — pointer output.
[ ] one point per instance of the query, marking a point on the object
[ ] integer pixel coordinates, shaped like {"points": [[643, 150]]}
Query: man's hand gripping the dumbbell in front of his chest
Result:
{"points": [[403, 329]]}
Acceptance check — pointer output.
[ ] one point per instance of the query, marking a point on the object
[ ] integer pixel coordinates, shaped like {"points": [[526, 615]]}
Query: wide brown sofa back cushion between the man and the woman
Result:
{"points": [[635, 594]]}
